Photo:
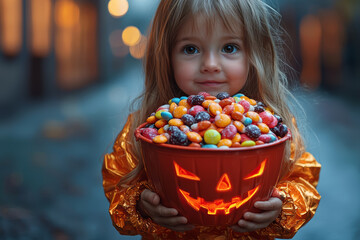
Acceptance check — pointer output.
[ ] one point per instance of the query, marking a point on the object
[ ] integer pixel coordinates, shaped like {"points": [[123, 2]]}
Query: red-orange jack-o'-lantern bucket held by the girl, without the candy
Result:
{"points": [[212, 187]]}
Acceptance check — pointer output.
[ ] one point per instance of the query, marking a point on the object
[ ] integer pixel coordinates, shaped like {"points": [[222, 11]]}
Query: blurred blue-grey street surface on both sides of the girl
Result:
{"points": [[50, 173]]}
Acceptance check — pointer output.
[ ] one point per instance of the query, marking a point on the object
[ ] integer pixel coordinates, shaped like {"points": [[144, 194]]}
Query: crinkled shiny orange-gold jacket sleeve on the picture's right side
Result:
{"points": [[301, 201]]}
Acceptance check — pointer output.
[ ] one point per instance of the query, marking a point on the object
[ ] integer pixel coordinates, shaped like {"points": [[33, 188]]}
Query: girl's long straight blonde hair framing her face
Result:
{"points": [[259, 24]]}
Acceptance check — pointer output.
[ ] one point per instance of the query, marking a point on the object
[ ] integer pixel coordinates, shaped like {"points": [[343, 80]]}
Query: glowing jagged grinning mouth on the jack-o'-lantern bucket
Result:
{"points": [[219, 204]]}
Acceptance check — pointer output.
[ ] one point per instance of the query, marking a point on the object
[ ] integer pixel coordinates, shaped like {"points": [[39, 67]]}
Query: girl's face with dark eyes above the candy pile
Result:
{"points": [[211, 61]]}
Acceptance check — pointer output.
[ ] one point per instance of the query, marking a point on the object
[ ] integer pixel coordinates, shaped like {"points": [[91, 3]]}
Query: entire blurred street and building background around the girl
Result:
{"points": [[70, 68]]}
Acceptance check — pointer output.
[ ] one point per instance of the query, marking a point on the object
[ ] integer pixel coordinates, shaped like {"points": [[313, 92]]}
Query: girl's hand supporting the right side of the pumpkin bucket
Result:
{"points": [[270, 210]]}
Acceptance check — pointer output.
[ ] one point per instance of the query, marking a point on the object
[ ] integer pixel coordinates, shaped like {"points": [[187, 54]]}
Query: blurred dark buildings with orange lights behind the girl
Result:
{"points": [[50, 48]]}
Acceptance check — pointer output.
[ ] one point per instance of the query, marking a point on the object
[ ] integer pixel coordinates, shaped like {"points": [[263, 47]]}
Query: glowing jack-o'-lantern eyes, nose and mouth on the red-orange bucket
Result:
{"points": [[223, 185]]}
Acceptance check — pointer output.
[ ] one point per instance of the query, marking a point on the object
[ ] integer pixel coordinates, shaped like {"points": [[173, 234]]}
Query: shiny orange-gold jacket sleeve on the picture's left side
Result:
{"points": [[123, 198]]}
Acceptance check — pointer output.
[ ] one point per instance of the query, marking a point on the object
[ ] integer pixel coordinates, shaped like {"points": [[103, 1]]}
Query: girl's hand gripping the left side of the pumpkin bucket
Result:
{"points": [[149, 205]]}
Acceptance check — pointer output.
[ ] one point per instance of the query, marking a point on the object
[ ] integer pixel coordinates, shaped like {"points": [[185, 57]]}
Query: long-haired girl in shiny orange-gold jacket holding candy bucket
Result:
{"points": [[210, 46]]}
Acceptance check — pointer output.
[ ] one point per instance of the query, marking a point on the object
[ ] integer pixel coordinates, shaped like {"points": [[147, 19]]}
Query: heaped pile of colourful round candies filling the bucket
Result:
{"points": [[219, 121]]}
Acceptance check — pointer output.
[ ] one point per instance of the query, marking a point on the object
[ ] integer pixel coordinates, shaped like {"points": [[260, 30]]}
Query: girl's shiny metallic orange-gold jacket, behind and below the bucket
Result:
{"points": [[299, 206]]}
